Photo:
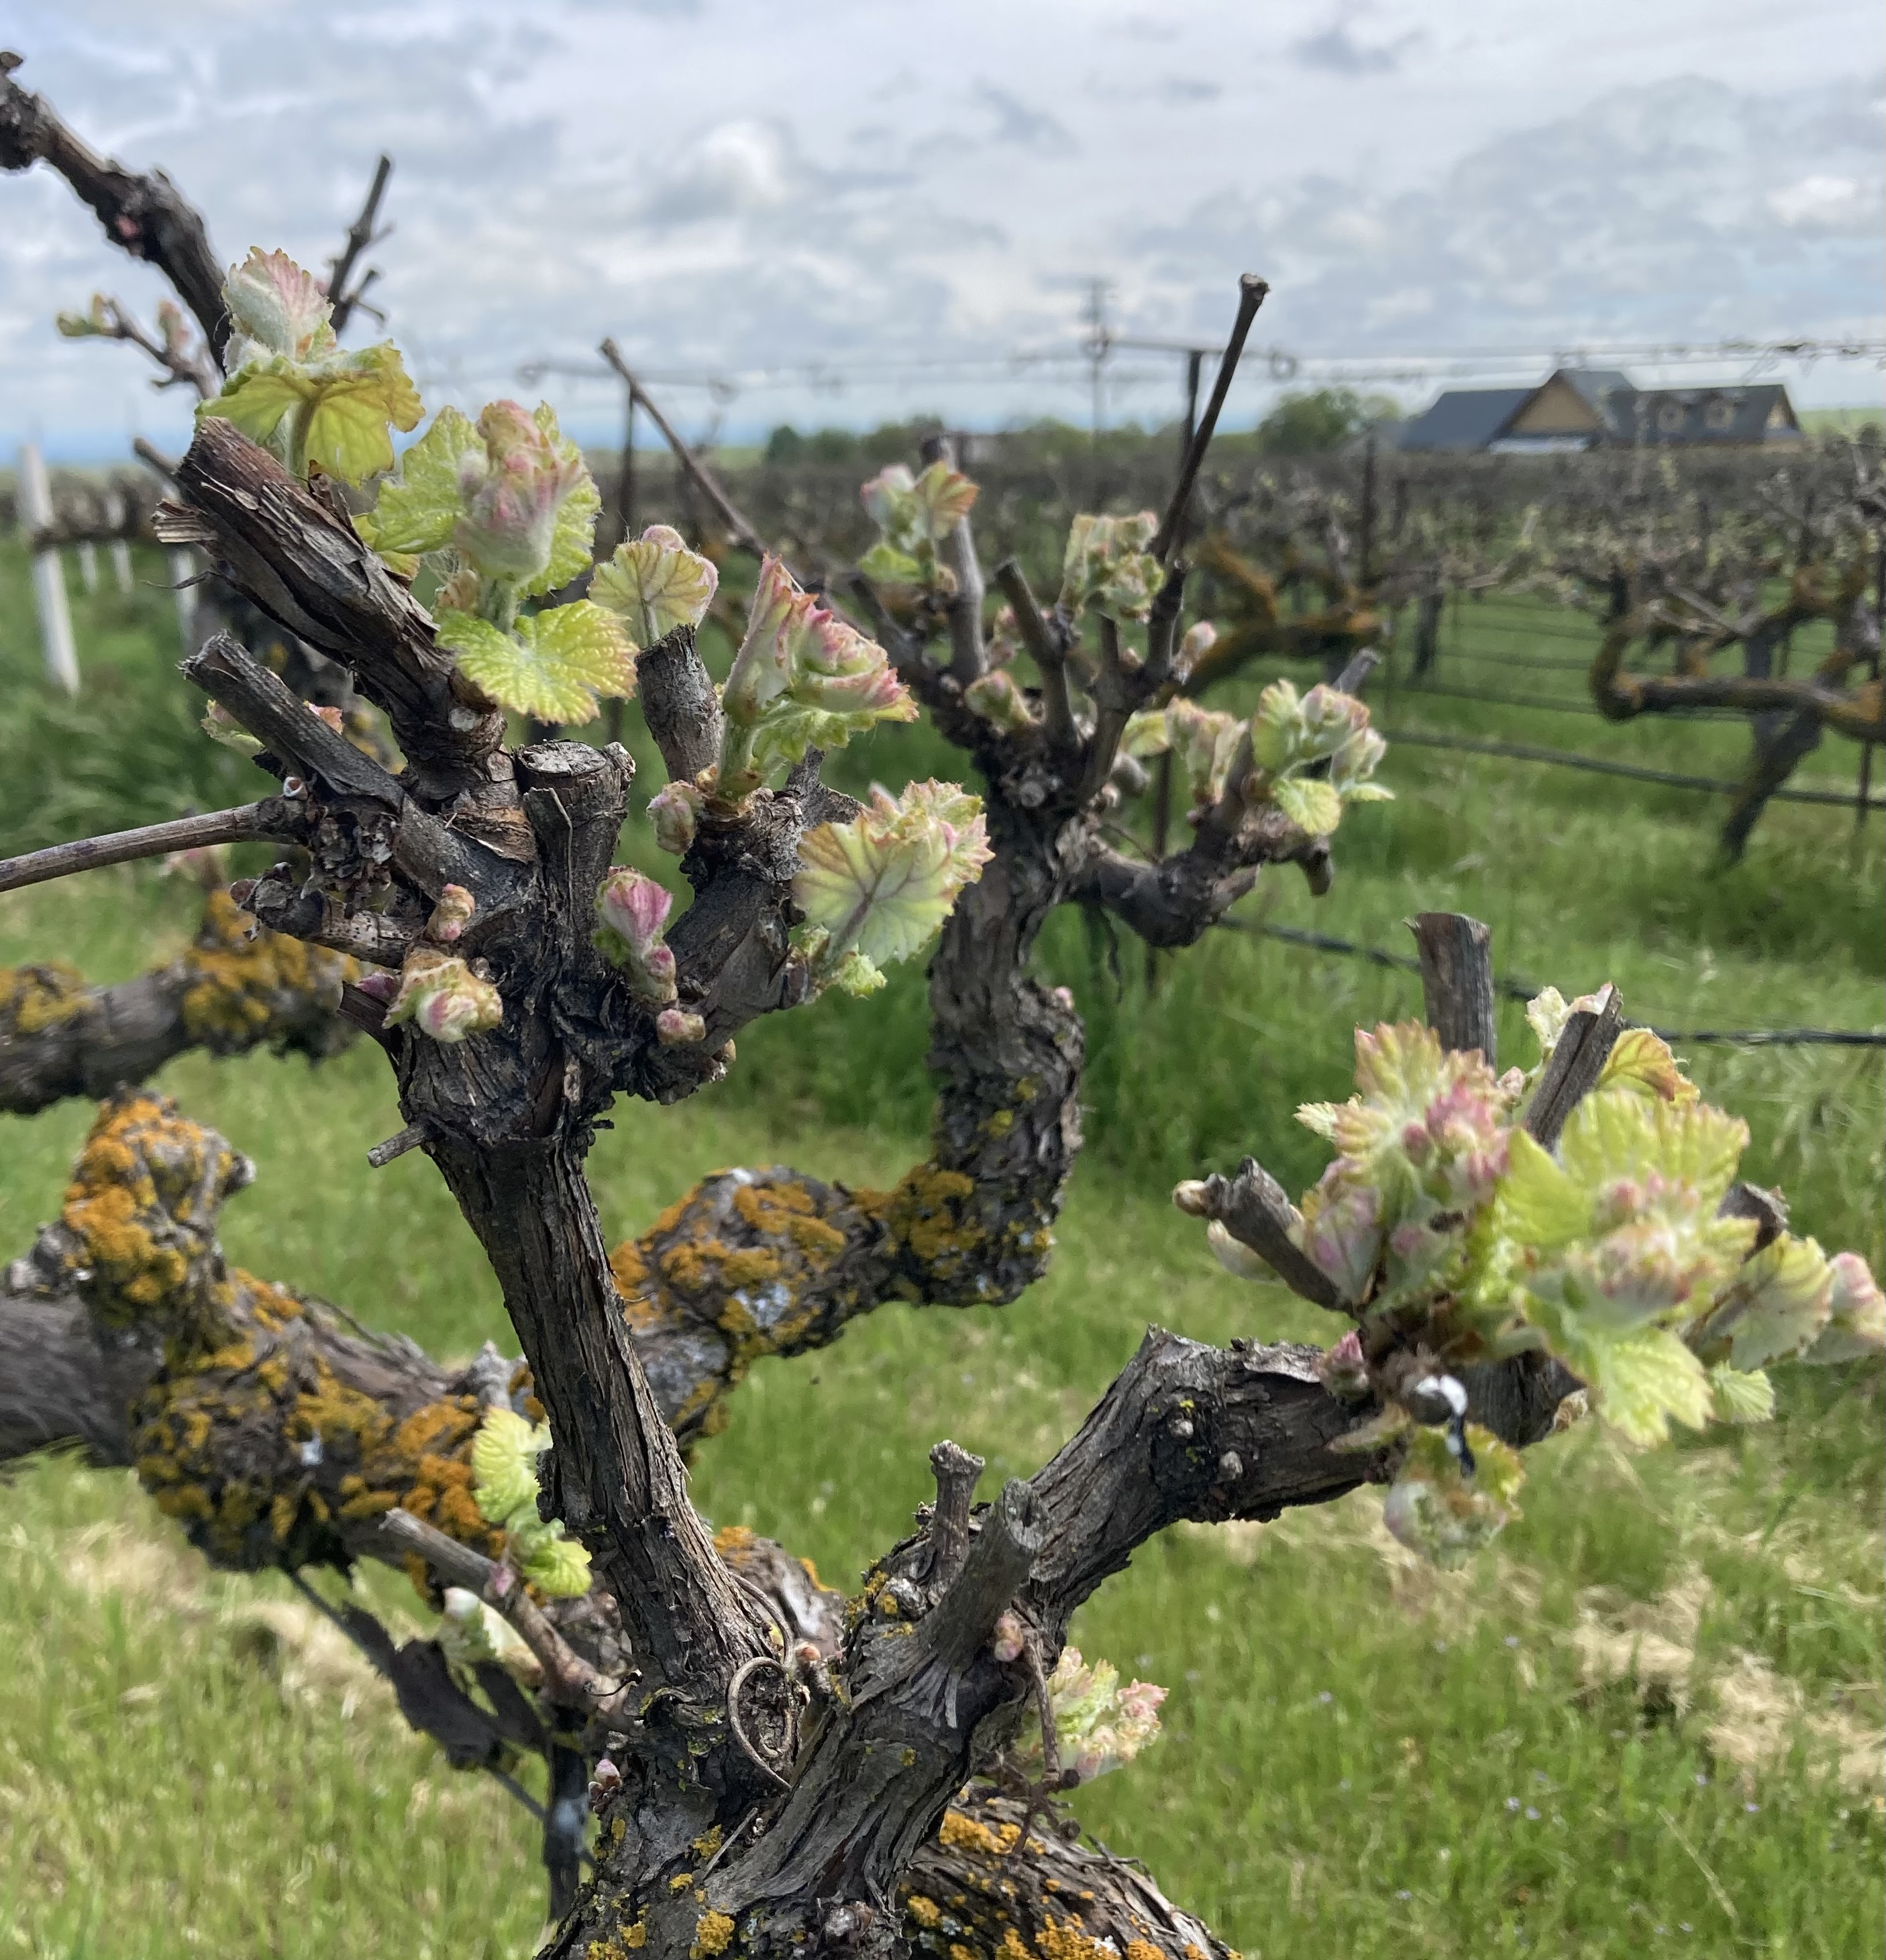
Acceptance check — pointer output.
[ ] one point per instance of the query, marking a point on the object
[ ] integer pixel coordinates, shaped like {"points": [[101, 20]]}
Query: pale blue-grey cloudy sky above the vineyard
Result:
{"points": [[850, 209]]}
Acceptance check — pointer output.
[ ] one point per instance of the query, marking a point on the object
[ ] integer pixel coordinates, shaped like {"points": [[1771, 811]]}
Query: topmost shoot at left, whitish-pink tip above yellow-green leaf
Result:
{"points": [[293, 387]]}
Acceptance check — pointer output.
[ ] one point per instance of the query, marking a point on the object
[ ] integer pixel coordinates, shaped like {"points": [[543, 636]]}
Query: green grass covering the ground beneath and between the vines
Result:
{"points": [[1356, 1747]]}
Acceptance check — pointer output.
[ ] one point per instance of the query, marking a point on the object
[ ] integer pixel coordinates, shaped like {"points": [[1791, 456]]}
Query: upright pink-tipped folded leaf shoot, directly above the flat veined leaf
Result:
{"points": [[801, 679]]}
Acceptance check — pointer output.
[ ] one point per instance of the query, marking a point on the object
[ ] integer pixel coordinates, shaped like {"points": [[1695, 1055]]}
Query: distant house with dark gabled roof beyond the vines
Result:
{"points": [[1595, 409]]}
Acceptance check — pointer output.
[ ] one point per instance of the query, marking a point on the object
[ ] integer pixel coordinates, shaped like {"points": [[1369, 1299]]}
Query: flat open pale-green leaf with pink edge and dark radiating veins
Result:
{"points": [[883, 885]]}
